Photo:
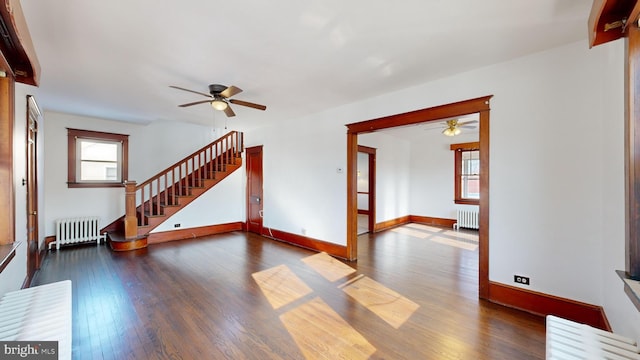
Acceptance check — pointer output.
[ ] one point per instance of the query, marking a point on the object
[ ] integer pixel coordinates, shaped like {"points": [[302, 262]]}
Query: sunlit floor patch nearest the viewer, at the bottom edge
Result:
{"points": [[321, 333]]}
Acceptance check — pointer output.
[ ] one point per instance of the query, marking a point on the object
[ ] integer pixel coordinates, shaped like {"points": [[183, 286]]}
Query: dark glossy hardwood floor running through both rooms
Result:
{"points": [[199, 299]]}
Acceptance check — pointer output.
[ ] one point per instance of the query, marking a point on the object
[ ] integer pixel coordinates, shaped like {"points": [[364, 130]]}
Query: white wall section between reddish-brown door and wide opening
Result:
{"points": [[304, 178]]}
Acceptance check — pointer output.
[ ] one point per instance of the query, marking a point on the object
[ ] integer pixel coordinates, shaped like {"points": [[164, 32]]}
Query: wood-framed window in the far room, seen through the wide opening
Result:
{"points": [[467, 173]]}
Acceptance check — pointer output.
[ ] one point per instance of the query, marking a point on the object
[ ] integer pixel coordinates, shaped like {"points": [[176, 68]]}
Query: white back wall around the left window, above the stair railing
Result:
{"points": [[152, 148]]}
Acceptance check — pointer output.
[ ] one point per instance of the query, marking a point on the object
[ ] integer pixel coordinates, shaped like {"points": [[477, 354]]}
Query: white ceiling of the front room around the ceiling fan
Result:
{"points": [[115, 59]]}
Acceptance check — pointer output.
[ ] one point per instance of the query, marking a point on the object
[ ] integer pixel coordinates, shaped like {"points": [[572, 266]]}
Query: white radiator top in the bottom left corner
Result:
{"points": [[40, 313]]}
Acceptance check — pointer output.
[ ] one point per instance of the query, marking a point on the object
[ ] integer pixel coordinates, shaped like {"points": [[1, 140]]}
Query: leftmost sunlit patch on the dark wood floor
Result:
{"points": [[280, 285]]}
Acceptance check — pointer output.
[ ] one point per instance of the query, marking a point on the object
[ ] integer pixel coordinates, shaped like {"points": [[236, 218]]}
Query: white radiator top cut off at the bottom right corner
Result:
{"points": [[570, 340]]}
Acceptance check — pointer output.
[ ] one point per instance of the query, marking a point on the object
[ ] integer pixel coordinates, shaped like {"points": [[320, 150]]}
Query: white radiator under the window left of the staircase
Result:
{"points": [[77, 230]]}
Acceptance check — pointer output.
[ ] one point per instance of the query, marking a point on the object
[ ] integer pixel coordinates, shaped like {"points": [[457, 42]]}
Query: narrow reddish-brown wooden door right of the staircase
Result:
{"points": [[254, 189]]}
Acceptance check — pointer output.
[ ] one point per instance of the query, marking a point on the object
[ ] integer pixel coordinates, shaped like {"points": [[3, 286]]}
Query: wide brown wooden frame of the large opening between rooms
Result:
{"points": [[472, 106]]}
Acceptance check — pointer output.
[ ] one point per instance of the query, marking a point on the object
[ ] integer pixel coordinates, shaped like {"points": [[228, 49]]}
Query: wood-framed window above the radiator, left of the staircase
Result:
{"points": [[96, 159]]}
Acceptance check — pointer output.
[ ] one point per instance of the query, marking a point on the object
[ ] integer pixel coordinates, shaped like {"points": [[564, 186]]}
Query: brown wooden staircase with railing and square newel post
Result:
{"points": [[155, 200]]}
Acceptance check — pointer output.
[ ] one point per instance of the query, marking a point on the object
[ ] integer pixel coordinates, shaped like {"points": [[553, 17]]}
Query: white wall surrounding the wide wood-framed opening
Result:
{"points": [[551, 143]]}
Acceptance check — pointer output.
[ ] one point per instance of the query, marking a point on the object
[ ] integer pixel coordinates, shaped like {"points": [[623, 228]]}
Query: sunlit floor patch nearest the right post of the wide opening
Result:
{"points": [[390, 306]]}
